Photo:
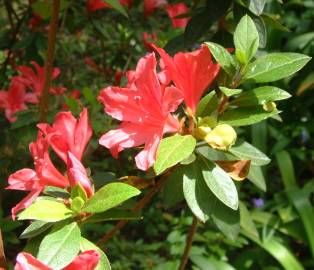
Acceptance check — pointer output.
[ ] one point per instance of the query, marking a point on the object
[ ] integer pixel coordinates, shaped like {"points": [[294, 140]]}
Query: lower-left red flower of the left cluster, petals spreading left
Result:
{"points": [[45, 174]]}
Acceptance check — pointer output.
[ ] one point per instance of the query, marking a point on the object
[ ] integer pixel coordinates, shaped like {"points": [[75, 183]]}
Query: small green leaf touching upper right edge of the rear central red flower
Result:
{"points": [[223, 57]]}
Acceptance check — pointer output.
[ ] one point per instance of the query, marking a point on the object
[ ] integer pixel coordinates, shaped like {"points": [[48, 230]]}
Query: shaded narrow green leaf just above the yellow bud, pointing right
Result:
{"points": [[246, 116]]}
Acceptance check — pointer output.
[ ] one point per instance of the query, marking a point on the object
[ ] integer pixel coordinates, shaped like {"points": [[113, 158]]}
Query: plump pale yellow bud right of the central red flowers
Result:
{"points": [[222, 137]]}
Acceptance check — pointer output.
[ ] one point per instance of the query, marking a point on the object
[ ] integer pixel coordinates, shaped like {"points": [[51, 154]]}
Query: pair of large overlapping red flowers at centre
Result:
{"points": [[147, 103]]}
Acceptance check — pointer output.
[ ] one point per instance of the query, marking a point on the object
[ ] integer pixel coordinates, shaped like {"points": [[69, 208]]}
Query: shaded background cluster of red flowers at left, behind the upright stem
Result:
{"points": [[14, 99]]}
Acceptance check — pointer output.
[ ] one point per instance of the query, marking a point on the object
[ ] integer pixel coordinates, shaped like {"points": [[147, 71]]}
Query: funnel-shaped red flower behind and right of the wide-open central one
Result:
{"points": [[191, 73]]}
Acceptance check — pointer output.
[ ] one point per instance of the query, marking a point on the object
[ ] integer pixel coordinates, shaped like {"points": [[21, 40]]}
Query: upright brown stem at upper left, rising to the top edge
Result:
{"points": [[44, 98]]}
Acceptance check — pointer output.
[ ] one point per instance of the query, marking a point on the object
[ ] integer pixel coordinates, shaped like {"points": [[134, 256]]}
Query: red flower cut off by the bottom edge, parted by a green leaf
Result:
{"points": [[87, 260]]}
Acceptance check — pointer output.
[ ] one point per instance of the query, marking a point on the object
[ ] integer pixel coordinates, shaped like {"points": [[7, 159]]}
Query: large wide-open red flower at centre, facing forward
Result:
{"points": [[145, 107]]}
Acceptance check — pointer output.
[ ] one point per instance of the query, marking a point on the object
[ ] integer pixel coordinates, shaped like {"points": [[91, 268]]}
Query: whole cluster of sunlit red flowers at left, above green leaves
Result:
{"points": [[68, 137]]}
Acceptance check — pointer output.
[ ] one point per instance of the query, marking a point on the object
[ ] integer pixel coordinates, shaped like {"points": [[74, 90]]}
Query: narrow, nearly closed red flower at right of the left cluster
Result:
{"points": [[77, 174]]}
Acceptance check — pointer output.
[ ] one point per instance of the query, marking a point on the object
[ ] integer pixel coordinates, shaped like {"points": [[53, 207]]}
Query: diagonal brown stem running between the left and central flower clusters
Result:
{"points": [[138, 207]]}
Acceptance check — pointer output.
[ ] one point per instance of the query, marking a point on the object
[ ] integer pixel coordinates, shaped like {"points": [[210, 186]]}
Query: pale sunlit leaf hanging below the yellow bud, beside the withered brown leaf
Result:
{"points": [[220, 183]]}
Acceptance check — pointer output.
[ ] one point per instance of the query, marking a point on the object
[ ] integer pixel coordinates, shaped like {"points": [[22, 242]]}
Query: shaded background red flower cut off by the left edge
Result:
{"points": [[14, 99]]}
